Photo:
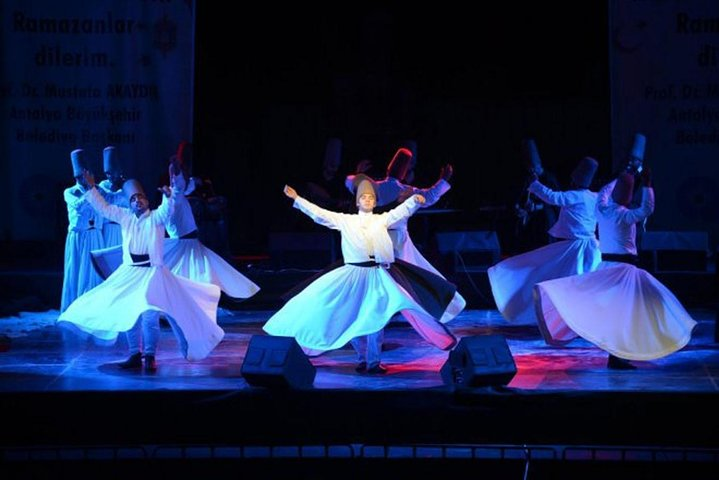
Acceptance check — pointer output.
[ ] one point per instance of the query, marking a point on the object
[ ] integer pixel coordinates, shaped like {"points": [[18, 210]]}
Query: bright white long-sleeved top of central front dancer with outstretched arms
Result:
{"points": [[364, 235]]}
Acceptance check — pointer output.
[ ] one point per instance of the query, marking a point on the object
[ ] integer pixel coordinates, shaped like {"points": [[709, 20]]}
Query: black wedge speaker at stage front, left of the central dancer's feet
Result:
{"points": [[277, 362]]}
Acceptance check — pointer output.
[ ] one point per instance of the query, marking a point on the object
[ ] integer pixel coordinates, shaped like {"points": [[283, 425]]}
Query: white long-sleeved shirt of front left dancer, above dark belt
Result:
{"points": [[140, 235]]}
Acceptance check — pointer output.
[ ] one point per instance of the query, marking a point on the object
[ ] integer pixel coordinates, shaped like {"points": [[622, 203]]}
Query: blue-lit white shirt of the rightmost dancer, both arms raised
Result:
{"points": [[617, 223]]}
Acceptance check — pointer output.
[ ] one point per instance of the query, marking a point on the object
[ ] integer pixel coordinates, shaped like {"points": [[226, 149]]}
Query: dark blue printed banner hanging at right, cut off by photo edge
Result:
{"points": [[664, 63]]}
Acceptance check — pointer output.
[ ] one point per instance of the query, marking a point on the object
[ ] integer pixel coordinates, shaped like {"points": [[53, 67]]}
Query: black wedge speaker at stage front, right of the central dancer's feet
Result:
{"points": [[477, 361]]}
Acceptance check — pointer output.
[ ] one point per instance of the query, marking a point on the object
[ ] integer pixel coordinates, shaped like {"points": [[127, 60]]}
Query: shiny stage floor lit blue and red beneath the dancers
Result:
{"points": [[42, 357]]}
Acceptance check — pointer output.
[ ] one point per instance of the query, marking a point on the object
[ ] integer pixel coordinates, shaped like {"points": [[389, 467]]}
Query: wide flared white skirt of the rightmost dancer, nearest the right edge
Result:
{"points": [[620, 308]]}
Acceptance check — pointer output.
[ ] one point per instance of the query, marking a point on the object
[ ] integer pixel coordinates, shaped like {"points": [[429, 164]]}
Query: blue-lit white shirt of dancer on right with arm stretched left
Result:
{"points": [[577, 217]]}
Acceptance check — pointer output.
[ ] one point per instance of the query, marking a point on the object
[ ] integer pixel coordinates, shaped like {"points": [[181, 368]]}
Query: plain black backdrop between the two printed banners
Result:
{"points": [[466, 83]]}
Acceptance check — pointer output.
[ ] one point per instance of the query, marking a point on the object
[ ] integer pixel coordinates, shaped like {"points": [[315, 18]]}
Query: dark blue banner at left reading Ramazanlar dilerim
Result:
{"points": [[78, 74]]}
